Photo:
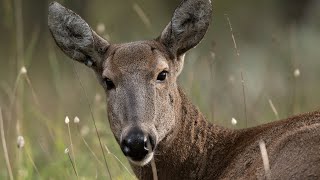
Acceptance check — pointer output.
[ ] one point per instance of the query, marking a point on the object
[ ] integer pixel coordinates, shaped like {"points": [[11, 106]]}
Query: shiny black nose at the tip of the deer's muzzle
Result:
{"points": [[135, 145]]}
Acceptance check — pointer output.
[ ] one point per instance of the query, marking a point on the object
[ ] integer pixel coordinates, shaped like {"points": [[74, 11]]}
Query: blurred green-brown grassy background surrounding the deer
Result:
{"points": [[273, 73]]}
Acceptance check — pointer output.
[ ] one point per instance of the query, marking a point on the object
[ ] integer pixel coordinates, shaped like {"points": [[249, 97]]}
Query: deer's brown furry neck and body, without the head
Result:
{"points": [[201, 150]]}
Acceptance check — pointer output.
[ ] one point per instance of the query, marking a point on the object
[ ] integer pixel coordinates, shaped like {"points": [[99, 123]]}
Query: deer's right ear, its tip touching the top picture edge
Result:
{"points": [[188, 26]]}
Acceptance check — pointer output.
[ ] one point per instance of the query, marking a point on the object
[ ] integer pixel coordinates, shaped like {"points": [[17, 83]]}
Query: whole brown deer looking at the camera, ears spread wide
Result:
{"points": [[145, 105]]}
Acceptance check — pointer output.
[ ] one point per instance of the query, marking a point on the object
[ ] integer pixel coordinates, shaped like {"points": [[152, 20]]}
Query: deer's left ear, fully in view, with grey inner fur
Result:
{"points": [[74, 36]]}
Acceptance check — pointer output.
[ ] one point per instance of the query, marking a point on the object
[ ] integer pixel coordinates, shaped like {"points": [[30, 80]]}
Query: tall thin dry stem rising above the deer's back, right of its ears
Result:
{"points": [[241, 72]]}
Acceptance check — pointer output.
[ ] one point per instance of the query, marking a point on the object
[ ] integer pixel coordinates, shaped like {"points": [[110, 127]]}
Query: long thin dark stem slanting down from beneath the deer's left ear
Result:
{"points": [[92, 116]]}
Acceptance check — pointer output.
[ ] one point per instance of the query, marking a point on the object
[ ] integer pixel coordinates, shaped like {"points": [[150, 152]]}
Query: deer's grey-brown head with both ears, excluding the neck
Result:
{"points": [[139, 78]]}
